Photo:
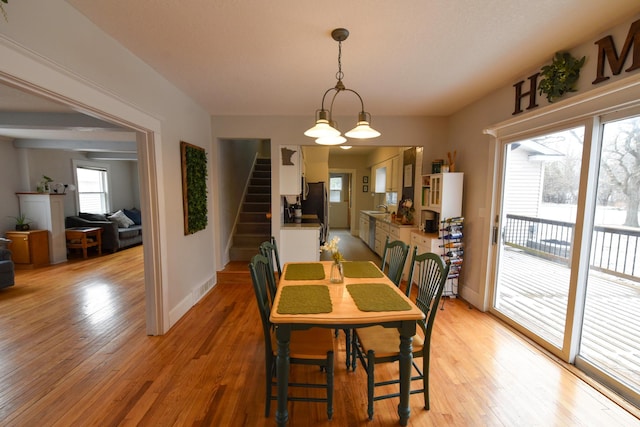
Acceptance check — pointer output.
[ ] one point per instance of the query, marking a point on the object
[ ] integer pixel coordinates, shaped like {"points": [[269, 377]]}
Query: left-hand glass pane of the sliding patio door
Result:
{"points": [[540, 183]]}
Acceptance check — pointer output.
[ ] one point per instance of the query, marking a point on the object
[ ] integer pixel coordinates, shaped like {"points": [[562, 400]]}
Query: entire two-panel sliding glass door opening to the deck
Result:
{"points": [[567, 245]]}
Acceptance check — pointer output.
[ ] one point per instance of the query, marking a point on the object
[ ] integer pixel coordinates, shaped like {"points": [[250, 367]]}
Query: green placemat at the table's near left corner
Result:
{"points": [[305, 299]]}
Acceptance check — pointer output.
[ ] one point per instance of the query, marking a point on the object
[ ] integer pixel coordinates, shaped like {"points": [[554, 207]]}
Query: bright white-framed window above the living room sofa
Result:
{"points": [[93, 189]]}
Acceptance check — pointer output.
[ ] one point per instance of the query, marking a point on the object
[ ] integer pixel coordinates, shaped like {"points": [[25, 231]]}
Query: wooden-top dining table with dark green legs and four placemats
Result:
{"points": [[305, 298]]}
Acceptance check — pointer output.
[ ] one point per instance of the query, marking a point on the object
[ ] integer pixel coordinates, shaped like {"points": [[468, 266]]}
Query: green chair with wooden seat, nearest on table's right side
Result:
{"points": [[374, 345]]}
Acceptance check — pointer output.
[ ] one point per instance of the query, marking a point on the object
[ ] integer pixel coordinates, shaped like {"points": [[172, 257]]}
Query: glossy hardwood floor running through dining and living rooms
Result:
{"points": [[73, 351]]}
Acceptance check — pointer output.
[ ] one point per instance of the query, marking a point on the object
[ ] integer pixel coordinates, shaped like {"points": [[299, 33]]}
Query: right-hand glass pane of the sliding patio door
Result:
{"points": [[610, 340]]}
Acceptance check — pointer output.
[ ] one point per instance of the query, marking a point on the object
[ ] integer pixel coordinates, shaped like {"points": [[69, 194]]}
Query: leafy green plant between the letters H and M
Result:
{"points": [[560, 76]]}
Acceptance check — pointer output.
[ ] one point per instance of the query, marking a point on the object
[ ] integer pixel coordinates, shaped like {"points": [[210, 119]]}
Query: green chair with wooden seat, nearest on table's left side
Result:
{"points": [[308, 347]]}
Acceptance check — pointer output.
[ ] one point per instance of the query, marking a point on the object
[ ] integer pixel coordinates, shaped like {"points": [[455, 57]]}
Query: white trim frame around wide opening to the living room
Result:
{"points": [[40, 77]]}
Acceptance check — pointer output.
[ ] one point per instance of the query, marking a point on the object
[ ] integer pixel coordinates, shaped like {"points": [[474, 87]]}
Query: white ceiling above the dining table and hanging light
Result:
{"points": [[409, 57]]}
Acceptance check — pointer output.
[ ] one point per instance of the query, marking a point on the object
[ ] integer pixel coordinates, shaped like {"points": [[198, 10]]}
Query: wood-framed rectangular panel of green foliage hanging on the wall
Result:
{"points": [[194, 187]]}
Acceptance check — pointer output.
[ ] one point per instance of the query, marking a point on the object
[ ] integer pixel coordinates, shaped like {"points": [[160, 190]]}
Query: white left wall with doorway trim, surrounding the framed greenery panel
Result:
{"points": [[49, 45]]}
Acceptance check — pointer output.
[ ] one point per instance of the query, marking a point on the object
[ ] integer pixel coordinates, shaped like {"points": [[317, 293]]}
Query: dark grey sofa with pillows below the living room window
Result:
{"points": [[116, 234]]}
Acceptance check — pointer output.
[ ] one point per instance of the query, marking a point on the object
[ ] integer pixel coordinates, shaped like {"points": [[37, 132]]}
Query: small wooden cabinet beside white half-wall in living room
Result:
{"points": [[29, 248]]}
